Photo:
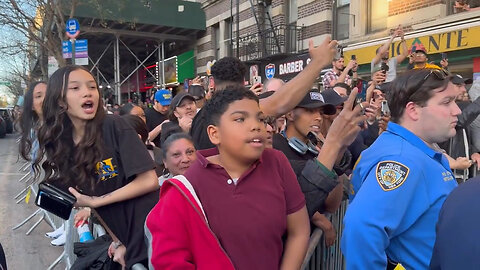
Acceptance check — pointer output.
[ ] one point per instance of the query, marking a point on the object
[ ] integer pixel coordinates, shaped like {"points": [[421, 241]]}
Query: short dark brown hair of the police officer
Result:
{"points": [[416, 86]]}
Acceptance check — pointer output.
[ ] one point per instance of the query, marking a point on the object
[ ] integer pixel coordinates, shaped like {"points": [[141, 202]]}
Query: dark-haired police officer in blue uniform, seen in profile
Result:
{"points": [[400, 182]]}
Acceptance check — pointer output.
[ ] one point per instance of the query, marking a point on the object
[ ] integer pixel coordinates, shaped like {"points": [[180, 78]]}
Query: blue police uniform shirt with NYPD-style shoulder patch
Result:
{"points": [[399, 184]]}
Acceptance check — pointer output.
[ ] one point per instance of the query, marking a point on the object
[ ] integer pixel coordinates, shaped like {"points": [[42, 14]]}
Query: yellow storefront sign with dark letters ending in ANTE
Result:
{"points": [[459, 39]]}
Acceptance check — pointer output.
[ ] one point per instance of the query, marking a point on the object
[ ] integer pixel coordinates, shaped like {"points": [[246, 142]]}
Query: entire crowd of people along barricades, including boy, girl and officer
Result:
{"points": [[236, 178]]}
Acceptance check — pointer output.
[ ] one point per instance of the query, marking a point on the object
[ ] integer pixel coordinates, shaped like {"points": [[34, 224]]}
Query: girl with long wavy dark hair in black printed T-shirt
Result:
{"points": [[97, 157]]}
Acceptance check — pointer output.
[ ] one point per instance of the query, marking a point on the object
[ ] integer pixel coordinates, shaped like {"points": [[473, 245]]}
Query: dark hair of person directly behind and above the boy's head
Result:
{"points": [[229, 69]]}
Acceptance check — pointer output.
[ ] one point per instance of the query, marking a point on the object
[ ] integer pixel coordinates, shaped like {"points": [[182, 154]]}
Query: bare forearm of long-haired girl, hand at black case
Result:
{"points": [[142, 184]]}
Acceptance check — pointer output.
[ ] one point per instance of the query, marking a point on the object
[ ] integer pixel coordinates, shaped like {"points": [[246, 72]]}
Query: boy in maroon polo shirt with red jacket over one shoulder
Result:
{"points": [[249, 195]]}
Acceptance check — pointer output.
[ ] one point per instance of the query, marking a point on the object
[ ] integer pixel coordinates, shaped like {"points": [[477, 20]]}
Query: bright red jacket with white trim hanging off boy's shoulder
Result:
{"points": [[178, 232]]}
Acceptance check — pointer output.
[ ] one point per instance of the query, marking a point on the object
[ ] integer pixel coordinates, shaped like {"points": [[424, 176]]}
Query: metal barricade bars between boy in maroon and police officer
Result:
{"points": [[320, 257]]}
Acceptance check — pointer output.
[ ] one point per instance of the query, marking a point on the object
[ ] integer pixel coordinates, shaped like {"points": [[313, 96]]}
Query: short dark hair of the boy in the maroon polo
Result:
{"points": [[218, 104]]}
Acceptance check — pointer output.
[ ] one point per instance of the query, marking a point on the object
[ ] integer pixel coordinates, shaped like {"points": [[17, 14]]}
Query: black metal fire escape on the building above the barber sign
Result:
{"points": [[270, 39]]}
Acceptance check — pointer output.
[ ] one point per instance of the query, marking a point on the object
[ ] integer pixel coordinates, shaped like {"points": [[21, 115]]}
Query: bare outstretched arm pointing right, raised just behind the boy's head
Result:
{"points": [[291, 93]]}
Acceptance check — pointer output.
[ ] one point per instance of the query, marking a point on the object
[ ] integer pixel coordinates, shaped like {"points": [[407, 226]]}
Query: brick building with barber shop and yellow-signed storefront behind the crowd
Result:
{"points": [[278, 31]]}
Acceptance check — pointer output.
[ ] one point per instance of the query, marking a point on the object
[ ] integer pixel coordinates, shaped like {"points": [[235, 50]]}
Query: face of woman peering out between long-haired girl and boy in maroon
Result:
{"points": [[178, 155]]}
